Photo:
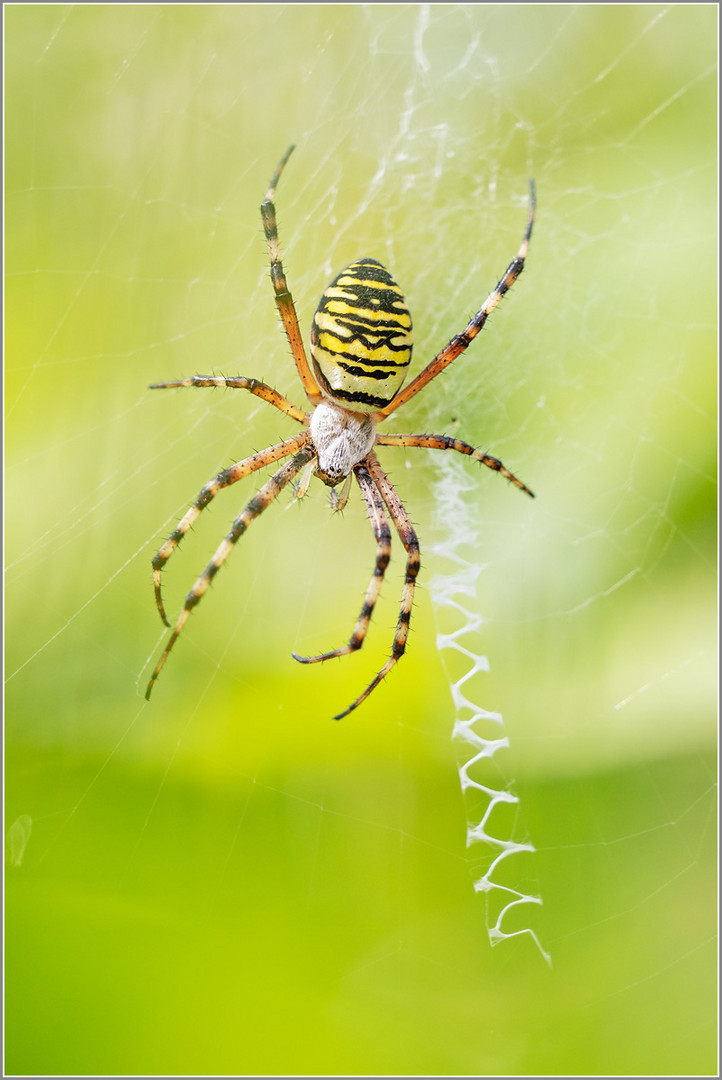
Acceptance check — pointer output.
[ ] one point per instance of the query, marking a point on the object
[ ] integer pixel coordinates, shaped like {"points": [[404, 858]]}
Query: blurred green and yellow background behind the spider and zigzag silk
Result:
{"points": [[226, 881]]}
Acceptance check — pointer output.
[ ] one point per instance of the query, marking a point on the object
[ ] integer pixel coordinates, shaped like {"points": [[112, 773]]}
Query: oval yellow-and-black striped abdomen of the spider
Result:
{"points": [[362, 339]]}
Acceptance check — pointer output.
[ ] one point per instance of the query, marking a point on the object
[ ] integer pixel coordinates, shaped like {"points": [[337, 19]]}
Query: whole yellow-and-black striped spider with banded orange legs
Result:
{"points": [[361, 349]]}
